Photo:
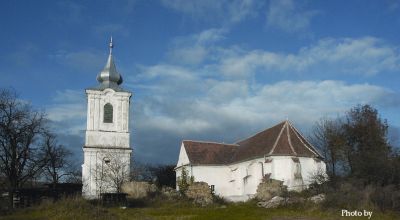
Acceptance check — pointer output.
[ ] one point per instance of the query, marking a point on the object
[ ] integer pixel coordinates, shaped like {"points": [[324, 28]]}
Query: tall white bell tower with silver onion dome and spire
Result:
{"points": [[107, 151]]}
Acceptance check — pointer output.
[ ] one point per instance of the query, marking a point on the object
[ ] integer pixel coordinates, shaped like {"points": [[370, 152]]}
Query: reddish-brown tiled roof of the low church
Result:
{"points": [[281, 139]]}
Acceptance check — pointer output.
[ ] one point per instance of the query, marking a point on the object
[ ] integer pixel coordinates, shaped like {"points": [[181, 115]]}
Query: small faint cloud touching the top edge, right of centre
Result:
{"points": [[286, 15]]}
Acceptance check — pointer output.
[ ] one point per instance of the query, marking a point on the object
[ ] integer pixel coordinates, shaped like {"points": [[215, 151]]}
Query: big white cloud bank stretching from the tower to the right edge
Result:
{"points": [[197, 100]]}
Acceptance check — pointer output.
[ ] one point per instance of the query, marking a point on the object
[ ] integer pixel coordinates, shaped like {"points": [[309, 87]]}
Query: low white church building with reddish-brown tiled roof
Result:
{"points": [[235, 170]]}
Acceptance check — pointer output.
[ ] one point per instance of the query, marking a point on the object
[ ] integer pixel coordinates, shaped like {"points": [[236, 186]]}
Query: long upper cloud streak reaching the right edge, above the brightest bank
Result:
{"points": [[363, 56]]}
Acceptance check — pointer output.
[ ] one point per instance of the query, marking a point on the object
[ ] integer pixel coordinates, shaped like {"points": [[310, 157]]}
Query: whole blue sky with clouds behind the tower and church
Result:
{"points": [[204, 70]]}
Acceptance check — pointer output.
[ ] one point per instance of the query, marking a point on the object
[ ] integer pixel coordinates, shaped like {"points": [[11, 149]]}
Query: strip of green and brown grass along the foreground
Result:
{"points": [[81, 209]]}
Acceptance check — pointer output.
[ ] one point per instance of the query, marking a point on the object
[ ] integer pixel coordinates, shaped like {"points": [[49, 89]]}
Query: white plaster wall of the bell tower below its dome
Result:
{"points": [[101, 139]]}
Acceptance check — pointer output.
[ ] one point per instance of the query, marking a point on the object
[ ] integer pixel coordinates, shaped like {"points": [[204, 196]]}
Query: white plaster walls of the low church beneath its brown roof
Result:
{"points": [[239, 182]]}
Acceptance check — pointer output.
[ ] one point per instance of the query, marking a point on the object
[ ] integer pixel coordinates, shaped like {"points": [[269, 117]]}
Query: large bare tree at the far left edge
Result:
{"points": [[20, 127]]}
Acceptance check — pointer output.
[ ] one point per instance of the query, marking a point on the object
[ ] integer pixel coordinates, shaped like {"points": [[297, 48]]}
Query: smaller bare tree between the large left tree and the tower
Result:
{"points": [[58, 164]]}
